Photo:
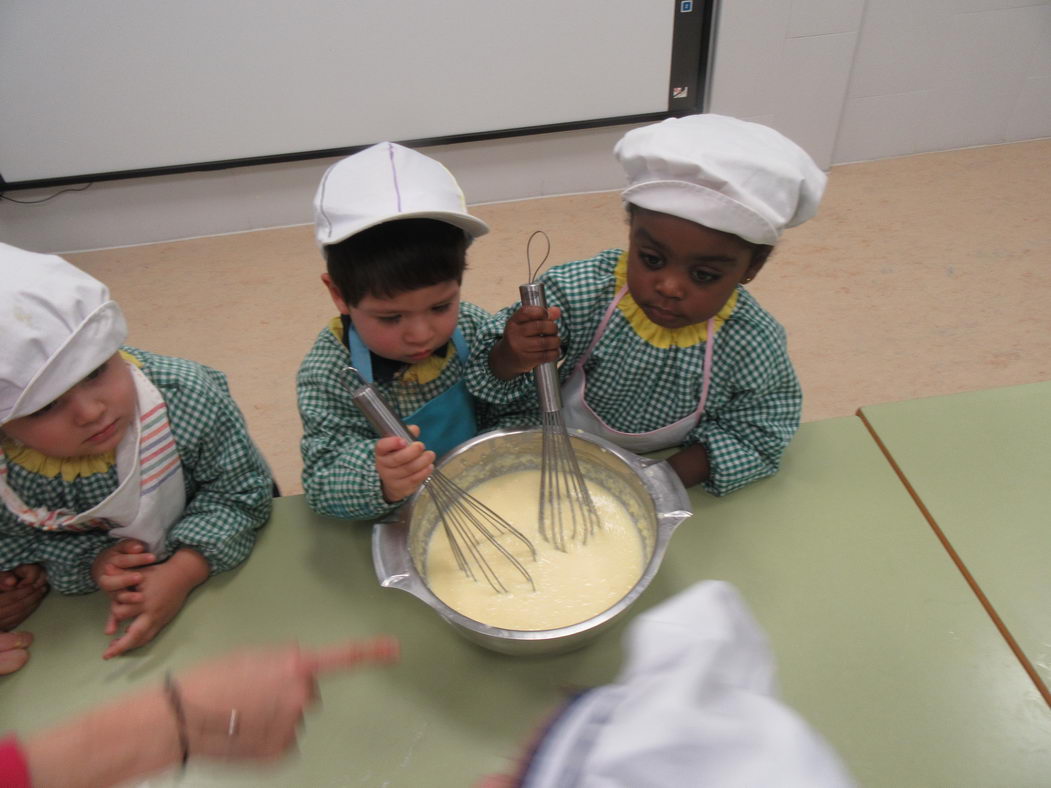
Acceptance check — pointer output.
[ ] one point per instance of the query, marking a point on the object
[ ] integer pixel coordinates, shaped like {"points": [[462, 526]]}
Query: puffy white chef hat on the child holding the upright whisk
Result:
{"points": [[723, 173]]}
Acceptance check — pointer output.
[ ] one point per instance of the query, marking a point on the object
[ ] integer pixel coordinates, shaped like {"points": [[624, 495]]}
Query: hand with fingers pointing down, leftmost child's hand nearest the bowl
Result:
{"points": [[161, 593]]}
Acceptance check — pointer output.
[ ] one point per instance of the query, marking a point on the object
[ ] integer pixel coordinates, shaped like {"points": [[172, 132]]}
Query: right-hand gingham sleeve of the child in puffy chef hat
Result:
{"points": [[747, 438]]}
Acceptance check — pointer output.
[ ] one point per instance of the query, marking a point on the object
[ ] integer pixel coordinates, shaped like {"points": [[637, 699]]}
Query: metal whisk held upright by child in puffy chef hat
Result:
{"points": [[567, 513]]}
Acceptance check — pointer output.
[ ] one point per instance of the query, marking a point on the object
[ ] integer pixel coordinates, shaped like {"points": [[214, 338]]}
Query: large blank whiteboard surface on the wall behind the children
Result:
{"points": [[110, 87]]}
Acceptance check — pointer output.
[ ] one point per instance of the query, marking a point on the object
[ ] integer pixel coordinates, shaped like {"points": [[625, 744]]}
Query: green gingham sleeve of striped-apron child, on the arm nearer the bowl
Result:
{"points": [[232, 489]]}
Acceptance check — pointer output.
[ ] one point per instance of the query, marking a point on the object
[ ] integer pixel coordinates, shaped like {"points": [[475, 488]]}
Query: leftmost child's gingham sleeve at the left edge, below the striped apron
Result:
{"points": [[67, 555]]}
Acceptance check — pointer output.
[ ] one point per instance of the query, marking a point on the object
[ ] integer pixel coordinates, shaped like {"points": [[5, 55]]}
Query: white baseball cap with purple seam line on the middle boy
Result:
{"points": [[383, 183]]}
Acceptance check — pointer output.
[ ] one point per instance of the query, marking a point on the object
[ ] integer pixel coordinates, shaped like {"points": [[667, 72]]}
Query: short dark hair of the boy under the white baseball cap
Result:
{"points": [[398, 257]]}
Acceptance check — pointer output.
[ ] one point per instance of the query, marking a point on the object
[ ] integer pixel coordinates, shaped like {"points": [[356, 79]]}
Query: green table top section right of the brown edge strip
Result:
{"points": [[981, 465]]}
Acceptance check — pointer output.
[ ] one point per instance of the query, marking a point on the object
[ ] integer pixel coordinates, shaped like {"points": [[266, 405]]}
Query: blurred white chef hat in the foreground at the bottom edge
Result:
{"points": [[695, 706]]}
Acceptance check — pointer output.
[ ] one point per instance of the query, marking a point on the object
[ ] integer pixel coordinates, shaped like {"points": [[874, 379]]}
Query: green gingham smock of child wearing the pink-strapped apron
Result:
{"points": [[754, 402]]}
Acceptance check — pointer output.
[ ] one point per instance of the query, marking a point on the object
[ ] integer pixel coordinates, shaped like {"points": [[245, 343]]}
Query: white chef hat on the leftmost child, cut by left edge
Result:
{"points": [[59, 326]]}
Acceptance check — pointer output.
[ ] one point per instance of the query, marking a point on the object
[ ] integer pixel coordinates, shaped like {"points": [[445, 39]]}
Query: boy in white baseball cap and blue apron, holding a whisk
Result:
{"points": [[395, 231]]}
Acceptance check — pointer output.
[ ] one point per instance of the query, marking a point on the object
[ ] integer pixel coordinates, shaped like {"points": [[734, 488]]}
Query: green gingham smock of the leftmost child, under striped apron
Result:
{"points": [[229, 485]]}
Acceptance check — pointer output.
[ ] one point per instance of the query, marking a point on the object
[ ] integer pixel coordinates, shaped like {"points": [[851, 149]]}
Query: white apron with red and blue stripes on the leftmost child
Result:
{"points": [[151, 495]]}
